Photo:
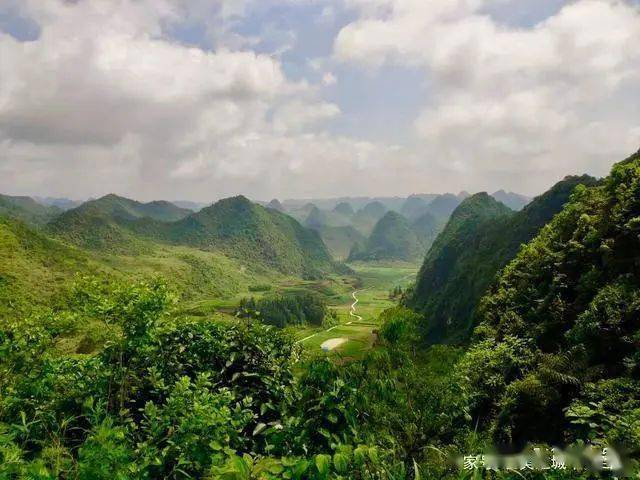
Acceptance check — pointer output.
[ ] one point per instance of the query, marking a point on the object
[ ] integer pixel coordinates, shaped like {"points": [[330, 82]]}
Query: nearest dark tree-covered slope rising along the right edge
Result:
{"points": [[559, 341]]}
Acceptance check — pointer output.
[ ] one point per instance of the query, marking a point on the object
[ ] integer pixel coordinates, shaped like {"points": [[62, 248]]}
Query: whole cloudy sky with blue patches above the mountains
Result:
{"points": [[204, 99]]}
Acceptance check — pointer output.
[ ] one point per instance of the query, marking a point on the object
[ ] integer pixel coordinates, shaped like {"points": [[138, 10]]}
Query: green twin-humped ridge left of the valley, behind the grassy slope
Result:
{"points": [[233, 226]]}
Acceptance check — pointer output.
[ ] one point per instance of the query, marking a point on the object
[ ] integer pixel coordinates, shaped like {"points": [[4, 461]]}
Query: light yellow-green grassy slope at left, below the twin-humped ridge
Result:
{"points": [[34, 268]]}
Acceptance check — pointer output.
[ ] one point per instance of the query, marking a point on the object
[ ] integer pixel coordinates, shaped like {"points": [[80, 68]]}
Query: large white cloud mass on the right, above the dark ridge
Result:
{"points": [[509, 100]]}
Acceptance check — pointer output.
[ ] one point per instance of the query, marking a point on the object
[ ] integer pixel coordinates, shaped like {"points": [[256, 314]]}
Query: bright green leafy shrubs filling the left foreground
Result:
{"points": [[172, 399]]}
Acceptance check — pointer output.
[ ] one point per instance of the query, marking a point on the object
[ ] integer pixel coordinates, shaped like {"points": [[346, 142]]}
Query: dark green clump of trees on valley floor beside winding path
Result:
{"points": [[285, 310]]}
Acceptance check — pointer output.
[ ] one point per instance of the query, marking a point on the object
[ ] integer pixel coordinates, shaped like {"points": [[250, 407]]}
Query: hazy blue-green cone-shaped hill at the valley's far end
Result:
{"points": [[392, 239]]}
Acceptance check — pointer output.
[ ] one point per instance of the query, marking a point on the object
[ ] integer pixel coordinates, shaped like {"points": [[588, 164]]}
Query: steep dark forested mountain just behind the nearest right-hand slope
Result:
{"points": [[480, 238]]}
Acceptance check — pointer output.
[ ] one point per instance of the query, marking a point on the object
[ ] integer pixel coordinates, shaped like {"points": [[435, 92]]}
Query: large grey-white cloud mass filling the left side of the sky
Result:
{"points": [[103, 100]]}
